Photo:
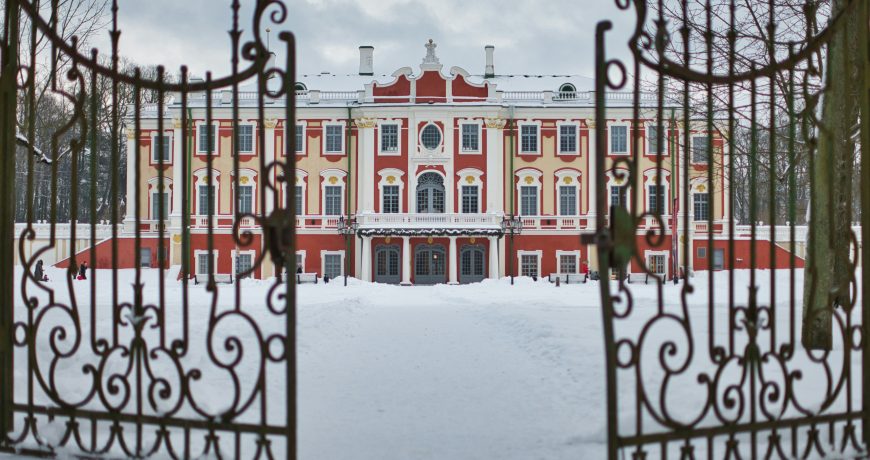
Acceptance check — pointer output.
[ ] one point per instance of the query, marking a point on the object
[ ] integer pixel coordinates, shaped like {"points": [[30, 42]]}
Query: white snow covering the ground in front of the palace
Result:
{"points": [[477, 371]]}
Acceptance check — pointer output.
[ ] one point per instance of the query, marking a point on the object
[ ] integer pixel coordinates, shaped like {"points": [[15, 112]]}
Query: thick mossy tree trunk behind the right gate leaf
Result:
{"points": [[826, 282]]}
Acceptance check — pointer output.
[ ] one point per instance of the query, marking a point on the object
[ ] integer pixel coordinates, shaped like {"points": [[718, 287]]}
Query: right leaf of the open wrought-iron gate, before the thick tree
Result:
{"points": [[713, 365]]}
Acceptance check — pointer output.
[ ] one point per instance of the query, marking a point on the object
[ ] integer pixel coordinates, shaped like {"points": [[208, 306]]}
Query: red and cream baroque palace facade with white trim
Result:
{"points": [[428, 165]]}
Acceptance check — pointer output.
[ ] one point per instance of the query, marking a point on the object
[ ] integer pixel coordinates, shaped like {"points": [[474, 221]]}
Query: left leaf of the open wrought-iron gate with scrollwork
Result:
{"points": [[145, 361]]}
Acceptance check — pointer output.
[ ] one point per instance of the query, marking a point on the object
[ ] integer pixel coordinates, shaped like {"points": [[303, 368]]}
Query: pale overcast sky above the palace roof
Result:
{"points": [[530, 37]]}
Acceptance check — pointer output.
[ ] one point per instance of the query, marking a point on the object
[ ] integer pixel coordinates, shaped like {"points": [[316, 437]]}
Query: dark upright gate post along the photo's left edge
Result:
{"points": [[8, 139]]}
